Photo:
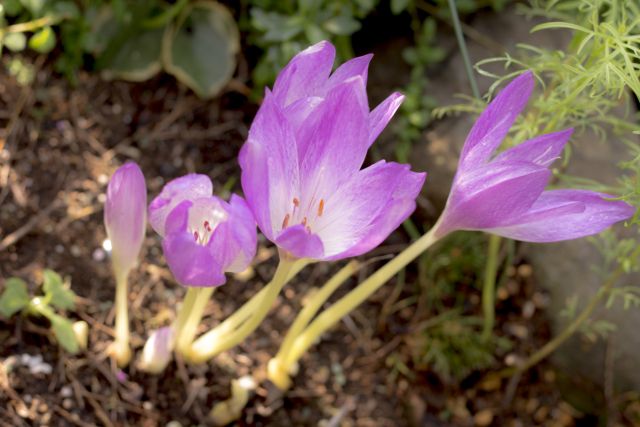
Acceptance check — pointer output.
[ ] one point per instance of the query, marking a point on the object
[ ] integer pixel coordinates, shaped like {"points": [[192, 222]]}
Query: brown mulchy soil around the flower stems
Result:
{"points": [[59, 145]]}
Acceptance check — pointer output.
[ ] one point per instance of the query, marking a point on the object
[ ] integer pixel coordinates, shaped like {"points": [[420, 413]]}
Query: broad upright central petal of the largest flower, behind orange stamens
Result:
{"points": [[333, 143]]}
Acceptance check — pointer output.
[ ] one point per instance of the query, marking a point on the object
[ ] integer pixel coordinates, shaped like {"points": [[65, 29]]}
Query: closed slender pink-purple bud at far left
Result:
{"points": [[124, 215]]}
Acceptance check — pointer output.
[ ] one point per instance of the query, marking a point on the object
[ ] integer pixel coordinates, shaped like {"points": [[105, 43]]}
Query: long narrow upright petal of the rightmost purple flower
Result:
{"points": [[495, 121]]}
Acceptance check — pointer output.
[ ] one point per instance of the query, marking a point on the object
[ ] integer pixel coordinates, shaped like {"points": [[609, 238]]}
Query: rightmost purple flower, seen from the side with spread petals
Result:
{"points": [[504, 194]]}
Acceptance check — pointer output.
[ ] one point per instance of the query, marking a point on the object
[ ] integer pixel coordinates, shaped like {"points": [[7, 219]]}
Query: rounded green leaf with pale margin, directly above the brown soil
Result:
{"points": [[200, 49]]}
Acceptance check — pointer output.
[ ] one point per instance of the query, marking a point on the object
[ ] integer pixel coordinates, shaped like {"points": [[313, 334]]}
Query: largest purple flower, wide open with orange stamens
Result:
{"points": [[301, 163]]}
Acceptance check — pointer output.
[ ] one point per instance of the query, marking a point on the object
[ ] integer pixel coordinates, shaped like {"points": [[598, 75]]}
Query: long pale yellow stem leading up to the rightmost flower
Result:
{"points": [[342, 307]]}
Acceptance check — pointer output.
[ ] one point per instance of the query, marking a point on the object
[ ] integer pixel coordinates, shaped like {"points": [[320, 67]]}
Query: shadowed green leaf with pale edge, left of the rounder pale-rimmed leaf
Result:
{"points": [[138, 59]]}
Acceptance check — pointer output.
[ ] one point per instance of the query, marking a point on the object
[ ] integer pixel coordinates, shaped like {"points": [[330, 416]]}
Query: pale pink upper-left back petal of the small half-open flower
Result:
{"points": [[188, 187]]}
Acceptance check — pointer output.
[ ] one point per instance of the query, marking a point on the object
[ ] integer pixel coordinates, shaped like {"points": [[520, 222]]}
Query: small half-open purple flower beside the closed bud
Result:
{"points": [[203, 236]]}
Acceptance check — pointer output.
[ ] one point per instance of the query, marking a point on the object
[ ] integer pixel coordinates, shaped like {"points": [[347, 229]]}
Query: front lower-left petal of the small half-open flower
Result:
{"points": [[192, 264]]}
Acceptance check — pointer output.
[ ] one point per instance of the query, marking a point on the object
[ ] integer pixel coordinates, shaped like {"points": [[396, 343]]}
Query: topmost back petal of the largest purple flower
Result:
{"points": [[305, 75]]}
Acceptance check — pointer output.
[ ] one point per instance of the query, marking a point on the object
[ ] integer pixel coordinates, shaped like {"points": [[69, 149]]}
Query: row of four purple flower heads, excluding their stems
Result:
{"points": [[306, 191]]}
